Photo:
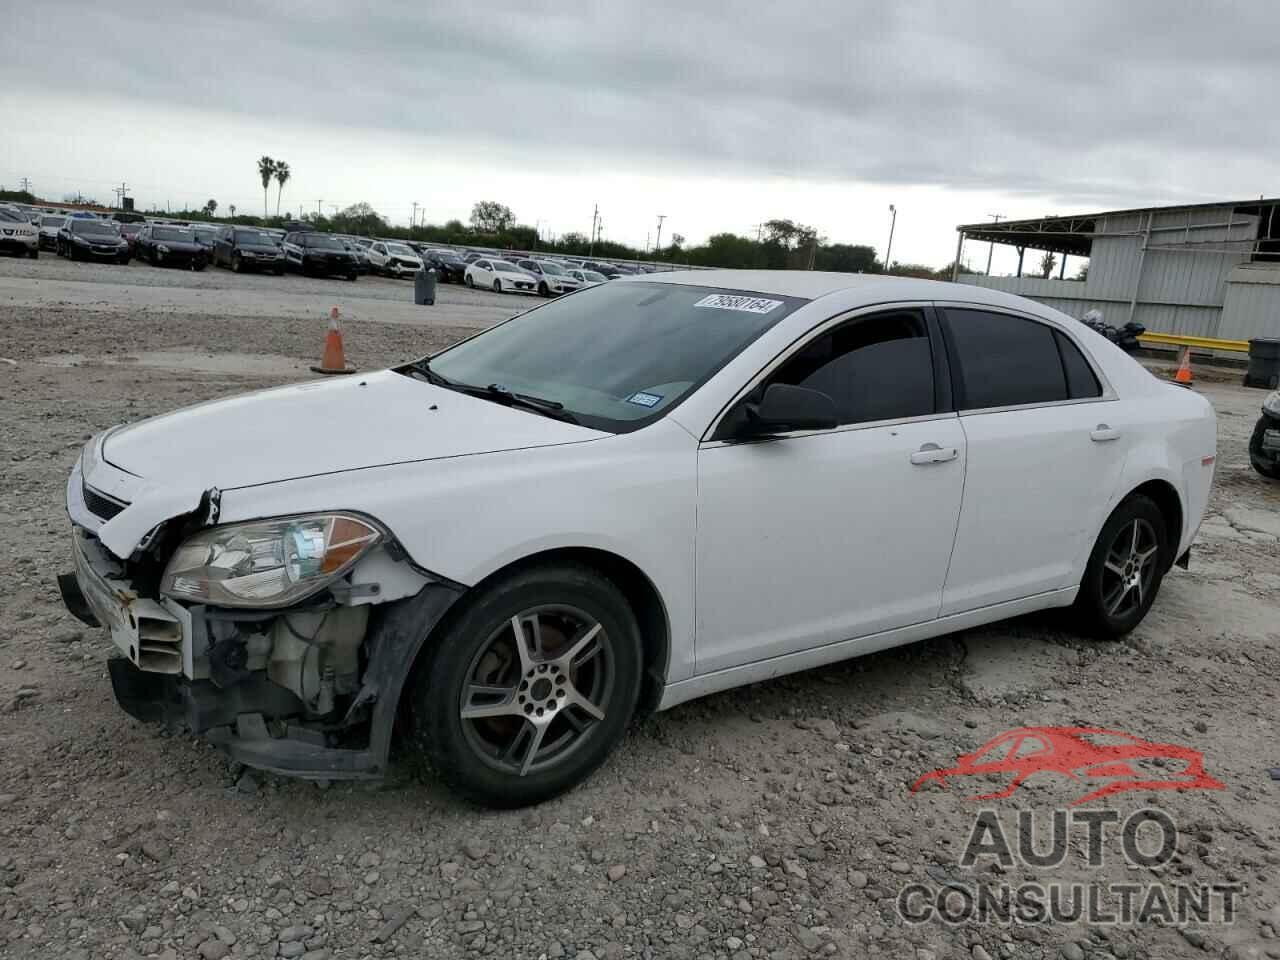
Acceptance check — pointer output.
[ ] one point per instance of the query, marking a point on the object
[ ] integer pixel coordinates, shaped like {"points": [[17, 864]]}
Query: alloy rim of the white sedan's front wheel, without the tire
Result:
{"points": [[537, 689]]}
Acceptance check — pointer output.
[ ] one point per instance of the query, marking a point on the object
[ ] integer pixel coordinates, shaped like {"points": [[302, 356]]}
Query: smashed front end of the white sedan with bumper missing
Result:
{"points": [[287, 642]]}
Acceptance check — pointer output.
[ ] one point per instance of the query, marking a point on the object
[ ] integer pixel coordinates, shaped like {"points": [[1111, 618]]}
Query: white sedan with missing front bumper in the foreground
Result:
{"points": [[644, 493]]}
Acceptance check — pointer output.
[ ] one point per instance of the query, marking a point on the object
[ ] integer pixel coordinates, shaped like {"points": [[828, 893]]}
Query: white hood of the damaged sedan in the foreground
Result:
{"points": [[324, 427]]}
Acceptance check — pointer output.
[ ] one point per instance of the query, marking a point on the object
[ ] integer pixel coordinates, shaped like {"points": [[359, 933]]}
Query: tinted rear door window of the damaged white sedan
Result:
{"points": [[1002, 360]]}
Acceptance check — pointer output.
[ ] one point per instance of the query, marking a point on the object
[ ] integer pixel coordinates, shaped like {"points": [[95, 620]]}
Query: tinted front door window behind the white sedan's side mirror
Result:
{"points": [[875, 368]]}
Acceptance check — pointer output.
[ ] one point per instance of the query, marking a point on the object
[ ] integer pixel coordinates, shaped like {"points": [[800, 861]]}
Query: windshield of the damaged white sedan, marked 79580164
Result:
{"points": [[619, 355]]}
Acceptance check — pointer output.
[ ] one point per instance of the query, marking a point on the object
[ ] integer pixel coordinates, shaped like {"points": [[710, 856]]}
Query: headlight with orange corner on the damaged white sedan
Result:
{"points": [[267, 564]]}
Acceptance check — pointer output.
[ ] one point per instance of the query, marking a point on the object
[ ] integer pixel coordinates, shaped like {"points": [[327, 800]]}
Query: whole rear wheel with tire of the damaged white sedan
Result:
{"points": [[1126, 570]]}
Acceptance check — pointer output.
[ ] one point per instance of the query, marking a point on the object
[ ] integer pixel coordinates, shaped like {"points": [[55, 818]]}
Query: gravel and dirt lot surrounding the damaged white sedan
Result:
{"points": [[770, 822]]}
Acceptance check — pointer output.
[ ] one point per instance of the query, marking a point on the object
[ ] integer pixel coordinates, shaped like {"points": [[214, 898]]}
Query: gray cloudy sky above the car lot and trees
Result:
{"points": [[717, 115]]}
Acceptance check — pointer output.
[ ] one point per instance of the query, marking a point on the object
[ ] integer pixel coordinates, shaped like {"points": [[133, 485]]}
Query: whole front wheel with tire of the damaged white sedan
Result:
{"points": [[514, 719]]}
